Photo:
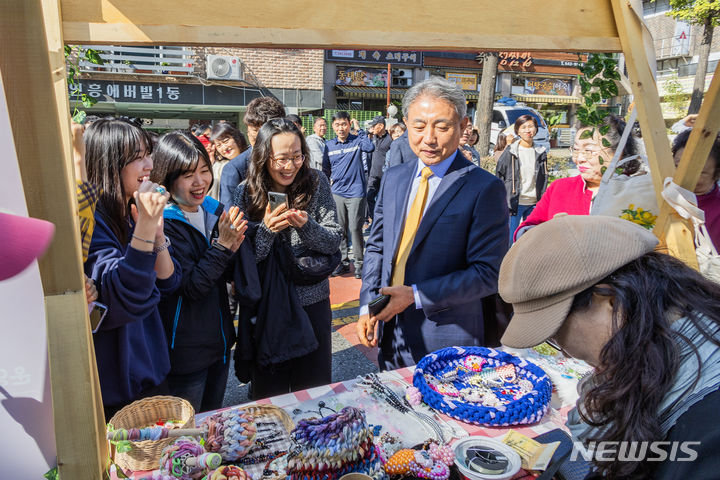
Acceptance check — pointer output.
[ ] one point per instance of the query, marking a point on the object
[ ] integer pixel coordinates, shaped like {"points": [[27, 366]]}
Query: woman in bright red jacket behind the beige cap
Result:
{"points": [[592, 153]]}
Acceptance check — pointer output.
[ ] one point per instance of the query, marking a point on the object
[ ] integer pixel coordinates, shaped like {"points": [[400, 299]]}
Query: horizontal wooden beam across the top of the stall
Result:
{"points": [[563, 25]]}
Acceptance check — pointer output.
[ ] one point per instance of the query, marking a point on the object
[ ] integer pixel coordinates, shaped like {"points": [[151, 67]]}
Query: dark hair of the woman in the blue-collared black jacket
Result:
{"points": [[177, 153]]}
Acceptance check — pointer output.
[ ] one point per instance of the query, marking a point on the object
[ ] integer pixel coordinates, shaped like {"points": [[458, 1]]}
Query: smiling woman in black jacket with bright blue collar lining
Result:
{"points": [[197, 319]]}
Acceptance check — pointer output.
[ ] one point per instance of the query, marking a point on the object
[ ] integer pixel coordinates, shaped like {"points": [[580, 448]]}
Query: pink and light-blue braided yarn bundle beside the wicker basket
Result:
{"points": [[230, 433]]}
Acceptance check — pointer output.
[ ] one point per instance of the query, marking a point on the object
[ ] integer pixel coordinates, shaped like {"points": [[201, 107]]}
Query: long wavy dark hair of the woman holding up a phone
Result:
{"points": [[259, 181]]}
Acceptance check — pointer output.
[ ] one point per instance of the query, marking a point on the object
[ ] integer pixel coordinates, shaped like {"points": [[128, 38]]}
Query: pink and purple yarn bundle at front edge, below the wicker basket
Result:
{"points": [[186, 459]]}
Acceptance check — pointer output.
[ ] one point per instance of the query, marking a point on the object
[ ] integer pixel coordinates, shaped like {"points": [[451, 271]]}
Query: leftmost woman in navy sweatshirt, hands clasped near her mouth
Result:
{"points": [[129, 263]]}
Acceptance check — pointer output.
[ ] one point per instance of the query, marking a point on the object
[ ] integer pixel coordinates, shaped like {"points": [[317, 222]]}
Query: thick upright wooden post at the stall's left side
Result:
{"points": [[34, 74]]}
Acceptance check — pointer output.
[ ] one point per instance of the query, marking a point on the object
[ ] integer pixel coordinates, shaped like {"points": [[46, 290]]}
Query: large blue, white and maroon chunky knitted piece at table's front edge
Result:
{"points": [[330, 447]]}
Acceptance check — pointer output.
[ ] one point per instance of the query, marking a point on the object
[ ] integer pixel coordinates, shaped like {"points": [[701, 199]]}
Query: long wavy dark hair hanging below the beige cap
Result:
{"points": [[637, 366]]}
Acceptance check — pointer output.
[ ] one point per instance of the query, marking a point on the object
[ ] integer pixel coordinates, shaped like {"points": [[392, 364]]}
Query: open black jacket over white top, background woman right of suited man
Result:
{"points": [[508, 170]]}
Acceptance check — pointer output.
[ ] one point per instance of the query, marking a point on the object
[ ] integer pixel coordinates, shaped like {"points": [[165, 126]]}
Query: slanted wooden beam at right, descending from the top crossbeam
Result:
{"points": [[674, 233]]}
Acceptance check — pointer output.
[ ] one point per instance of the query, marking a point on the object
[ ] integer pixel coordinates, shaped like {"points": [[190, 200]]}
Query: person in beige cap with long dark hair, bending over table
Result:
{"points": [[593, 287]]}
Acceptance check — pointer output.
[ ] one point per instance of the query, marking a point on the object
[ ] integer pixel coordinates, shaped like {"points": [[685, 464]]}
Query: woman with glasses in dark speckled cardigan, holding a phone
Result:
{"points": [[306, 223]]}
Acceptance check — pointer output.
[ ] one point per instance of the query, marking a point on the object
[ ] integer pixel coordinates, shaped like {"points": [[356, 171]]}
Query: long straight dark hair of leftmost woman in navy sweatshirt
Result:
{"points": [[110, 144]]}
